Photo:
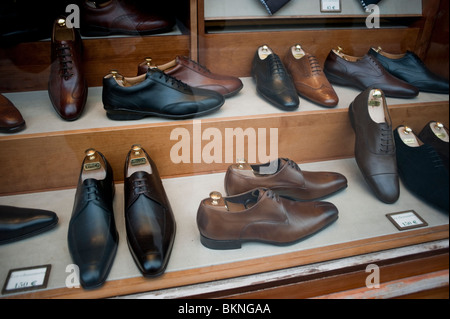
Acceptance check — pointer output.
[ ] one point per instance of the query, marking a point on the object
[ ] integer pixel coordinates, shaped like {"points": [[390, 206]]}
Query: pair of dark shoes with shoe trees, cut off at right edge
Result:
{"points": [[423, 162]]}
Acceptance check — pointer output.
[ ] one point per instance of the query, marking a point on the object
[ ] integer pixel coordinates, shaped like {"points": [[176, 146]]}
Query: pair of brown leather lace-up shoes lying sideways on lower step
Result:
{"points": [[279, 207]]}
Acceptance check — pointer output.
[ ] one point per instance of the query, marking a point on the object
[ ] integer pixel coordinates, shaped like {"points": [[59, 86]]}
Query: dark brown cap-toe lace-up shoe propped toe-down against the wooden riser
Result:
{"points": [[375, 148]]}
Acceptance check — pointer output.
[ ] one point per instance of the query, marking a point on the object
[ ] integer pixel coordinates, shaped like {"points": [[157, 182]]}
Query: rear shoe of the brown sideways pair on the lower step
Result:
{"points": [[286, 179]]}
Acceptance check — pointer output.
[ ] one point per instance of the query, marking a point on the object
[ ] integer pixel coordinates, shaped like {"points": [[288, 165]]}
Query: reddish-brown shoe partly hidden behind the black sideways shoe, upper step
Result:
{"points": [[196, 75]]}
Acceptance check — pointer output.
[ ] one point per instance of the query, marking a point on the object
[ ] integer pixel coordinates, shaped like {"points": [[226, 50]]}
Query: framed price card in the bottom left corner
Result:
{"points": [[24, 279]]}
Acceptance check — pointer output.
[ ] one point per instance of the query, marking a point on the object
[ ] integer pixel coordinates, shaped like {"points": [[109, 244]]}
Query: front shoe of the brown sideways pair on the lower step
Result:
{"points": [[260, 216]]}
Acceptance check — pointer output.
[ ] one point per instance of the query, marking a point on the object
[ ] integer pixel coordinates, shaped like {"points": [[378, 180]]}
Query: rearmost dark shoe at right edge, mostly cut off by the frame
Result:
{"points": [[436, 135]]}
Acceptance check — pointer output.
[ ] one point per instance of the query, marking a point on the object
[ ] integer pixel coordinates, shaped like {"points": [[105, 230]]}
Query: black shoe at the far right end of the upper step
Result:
{"points": [[410, 68]]}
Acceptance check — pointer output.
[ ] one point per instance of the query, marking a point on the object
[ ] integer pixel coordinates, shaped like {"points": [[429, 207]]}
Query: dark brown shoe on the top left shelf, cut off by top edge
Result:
{"points": [[123, 17]]}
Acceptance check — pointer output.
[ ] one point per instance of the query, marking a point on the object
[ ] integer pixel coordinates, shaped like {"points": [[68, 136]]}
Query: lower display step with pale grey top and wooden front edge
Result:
{"points": [[362, 227]]}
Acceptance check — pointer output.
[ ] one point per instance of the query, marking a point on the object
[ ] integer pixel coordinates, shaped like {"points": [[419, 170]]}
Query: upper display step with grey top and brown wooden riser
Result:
{"points": [[49, 152]]}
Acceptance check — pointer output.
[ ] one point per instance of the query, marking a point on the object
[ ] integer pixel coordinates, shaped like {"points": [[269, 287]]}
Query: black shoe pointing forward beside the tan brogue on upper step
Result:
{"points": [[273, 82]]}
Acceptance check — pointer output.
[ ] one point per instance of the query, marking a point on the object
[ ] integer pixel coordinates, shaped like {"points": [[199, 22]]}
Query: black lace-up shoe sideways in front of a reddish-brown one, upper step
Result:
{"points": [[155, 94]]}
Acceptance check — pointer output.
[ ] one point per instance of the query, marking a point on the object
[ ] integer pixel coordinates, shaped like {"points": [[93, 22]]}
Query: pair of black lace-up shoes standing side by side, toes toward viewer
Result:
{"points": [[150, 225]]}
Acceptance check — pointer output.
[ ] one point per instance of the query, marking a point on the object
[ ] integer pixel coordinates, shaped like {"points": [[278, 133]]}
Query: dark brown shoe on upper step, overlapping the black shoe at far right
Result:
{"points": [[366, 72]]}
